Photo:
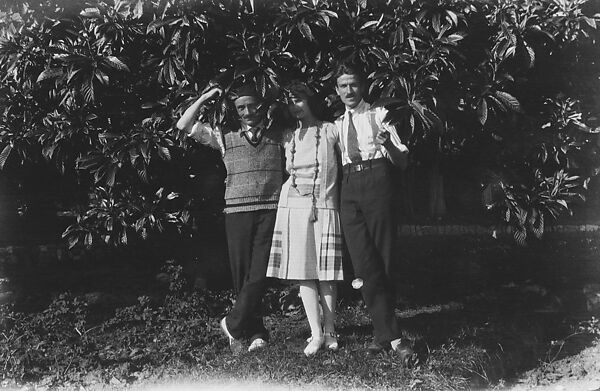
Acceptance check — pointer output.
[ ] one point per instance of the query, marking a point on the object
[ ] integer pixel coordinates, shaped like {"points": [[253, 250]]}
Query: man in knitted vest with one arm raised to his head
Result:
{"points": [[253, 158]]}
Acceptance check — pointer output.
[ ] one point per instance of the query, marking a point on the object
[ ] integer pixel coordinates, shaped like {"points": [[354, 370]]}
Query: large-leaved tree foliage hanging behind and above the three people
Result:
{"points": [[95, 89]]}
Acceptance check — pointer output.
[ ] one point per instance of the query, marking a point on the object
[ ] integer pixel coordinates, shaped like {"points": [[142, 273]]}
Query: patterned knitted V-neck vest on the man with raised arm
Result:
{"points": [[254, 173]]}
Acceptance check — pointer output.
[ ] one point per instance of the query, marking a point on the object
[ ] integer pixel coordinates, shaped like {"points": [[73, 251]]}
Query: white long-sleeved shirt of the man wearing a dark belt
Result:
{"points": [[368, 123]]}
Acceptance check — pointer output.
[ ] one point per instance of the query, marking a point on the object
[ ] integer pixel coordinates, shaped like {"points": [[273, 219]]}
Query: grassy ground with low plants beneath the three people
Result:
{"points": [[482, 313]]}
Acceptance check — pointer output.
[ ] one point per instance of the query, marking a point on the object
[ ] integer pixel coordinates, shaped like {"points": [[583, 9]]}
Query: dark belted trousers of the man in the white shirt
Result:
{"points": [[368, 221]]}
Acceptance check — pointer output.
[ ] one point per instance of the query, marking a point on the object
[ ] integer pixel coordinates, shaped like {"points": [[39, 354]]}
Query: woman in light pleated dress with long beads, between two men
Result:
{"points": [[307, 240]]}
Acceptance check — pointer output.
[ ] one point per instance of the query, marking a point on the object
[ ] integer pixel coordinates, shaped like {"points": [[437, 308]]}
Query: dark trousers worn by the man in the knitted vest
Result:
{"points": [[249, 236]]}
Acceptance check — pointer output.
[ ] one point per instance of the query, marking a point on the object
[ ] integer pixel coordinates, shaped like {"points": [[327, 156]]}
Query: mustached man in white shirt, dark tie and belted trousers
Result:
{"points": [[369, 148]]}
